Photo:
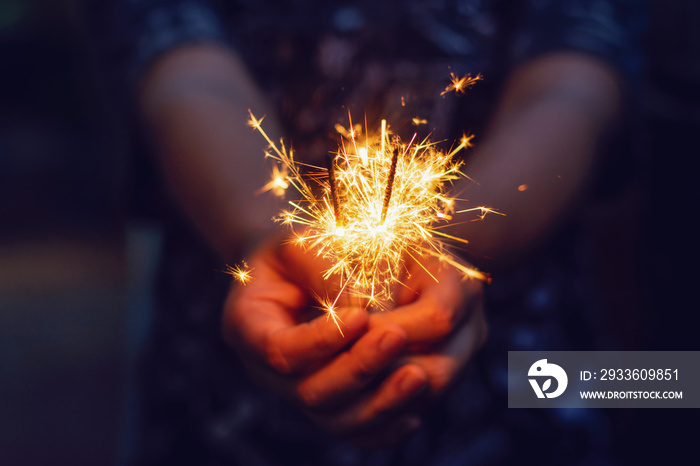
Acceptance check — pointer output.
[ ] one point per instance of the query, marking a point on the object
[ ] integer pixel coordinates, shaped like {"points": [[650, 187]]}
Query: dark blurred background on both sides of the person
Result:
{"points": [[65, 267]]}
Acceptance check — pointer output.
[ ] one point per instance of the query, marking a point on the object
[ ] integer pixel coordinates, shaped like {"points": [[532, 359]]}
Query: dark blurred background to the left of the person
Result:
{"points": [[62, 249]]}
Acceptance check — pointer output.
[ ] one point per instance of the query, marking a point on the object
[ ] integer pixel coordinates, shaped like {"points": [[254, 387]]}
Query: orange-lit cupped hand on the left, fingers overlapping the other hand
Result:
{"points": [[347, 383]]}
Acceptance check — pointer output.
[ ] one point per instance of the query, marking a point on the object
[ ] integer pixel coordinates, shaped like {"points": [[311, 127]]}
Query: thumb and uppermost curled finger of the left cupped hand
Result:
{"points": [[261, 320]]}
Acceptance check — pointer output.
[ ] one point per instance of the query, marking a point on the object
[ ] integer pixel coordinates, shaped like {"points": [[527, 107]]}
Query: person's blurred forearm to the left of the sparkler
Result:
{"points": [[195, 102]]}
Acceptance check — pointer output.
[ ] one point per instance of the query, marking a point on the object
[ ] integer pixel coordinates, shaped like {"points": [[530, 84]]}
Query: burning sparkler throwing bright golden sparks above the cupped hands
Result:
{"points": [[380, 202]]}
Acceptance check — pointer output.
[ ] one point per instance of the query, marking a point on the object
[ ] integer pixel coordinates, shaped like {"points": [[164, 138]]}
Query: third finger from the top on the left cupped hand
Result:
{"points": [[382, 406]]}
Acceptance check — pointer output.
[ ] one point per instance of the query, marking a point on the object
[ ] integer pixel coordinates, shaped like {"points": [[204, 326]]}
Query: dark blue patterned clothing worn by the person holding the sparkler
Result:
{"points": [[380, 59]]}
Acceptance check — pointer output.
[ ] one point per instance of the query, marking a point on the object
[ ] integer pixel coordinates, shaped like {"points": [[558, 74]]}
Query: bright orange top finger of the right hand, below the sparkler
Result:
{"points": [[439, 309]]}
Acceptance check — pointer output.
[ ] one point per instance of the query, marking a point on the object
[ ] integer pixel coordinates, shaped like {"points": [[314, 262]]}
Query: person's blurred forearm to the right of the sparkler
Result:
{"points": [[539, 153]]}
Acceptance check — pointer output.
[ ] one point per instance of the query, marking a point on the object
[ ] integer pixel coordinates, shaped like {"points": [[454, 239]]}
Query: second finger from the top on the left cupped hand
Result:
{"points": [[350, 372]]}
